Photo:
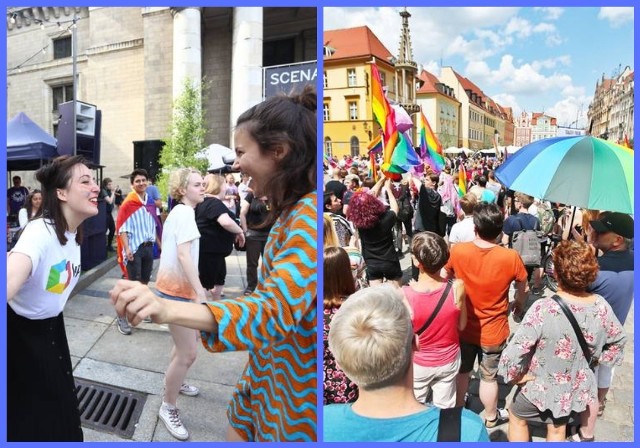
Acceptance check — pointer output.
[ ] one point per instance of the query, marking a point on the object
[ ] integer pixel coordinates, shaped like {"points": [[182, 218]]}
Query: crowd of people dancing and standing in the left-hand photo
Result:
{"points": [[274, 320]]}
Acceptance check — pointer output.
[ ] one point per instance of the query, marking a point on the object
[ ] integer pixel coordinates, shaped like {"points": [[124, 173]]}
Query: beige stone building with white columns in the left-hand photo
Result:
{"points": [[131, 63]]}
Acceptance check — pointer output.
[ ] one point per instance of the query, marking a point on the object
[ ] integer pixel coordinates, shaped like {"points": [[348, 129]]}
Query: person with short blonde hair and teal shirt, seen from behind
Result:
{"points": [[372, 340]]}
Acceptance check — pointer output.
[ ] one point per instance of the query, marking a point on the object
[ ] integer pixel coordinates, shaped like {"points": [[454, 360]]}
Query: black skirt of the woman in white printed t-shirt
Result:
{"points": [[41, 397]]}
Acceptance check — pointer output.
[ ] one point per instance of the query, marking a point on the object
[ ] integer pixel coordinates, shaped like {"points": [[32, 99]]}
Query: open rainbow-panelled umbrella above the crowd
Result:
{"points": [[583, 171]]}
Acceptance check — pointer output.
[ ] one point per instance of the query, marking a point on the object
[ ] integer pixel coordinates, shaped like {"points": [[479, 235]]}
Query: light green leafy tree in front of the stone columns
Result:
{"points": [[186, 134]]}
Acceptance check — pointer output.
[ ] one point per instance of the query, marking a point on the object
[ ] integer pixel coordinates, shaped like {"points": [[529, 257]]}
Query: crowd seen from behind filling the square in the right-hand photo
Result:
{"points": [[403, 347]]}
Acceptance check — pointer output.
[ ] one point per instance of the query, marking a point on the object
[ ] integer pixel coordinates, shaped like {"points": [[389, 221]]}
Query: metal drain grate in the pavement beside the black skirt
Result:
{"points": [[109, 409]]}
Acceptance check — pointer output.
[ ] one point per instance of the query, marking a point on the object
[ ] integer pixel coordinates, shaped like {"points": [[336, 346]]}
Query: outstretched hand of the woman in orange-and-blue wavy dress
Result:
{"points": [[136, 301]]}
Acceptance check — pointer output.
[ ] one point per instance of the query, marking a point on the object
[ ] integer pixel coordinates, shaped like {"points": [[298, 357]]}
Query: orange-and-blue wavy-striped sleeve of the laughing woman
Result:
{"points": [[286, 295]]}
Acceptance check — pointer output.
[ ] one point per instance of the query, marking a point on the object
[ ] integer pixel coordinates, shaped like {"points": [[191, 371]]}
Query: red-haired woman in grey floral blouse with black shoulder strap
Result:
{"points": [[544, 356]]}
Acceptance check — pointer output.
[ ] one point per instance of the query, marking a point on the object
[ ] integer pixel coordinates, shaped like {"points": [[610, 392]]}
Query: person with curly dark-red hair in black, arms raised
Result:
{"points": [[375, 223]]}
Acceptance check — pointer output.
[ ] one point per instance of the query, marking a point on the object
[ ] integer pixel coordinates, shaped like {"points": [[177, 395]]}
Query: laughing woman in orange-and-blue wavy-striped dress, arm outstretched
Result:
{"points": [[275, 399]]}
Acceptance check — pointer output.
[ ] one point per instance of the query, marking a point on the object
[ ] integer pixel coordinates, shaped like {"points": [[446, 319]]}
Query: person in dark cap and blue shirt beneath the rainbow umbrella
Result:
{"points": [[611, 234]]}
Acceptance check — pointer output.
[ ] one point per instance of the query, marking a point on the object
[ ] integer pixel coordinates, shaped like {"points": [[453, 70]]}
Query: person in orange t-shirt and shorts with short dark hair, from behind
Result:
{"points": [[487, 270]]}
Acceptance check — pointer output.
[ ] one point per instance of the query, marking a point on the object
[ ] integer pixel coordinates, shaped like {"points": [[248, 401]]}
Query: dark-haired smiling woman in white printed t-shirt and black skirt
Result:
{"points": [[42, 270]]}
